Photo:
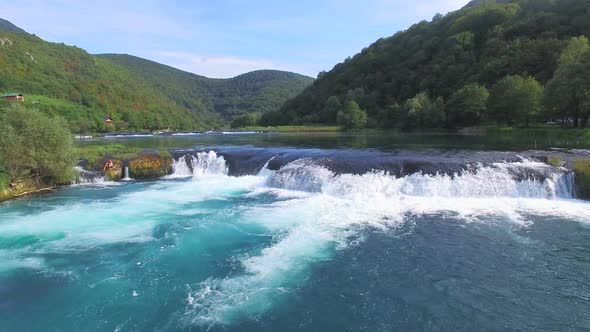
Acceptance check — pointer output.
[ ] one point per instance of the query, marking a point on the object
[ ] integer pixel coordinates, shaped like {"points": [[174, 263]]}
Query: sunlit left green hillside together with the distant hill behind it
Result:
{"points": [[85, 89]]}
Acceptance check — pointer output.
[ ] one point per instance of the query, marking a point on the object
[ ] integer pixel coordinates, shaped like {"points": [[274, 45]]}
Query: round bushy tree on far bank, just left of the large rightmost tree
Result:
{"points": [[516, 99]]}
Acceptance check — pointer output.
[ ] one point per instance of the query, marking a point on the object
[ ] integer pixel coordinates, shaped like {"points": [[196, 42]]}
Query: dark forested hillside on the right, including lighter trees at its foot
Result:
{"points": [[512, 62]]}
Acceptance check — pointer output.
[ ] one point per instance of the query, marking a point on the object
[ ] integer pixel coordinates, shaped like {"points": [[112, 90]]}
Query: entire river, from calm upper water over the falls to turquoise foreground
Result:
{"points": [[304, 233]]}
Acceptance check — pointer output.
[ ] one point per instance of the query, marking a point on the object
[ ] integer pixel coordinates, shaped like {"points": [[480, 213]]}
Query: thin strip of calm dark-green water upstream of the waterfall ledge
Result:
{"points": [[377, 140]]}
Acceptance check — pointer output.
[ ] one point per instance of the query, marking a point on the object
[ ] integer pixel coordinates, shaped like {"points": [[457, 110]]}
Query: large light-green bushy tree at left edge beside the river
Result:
{"points": [[35, 145]]}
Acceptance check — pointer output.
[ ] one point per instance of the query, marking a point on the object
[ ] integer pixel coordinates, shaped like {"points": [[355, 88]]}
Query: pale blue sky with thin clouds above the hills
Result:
{"points": [[224, 38]]}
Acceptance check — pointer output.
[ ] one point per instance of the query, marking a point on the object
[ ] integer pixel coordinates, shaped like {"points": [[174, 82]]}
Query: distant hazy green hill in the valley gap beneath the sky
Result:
{"points": [[259, 91]]}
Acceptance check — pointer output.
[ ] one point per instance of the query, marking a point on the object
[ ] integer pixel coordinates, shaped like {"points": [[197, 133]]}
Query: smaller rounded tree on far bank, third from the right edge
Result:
{"points": [[467, 106]]}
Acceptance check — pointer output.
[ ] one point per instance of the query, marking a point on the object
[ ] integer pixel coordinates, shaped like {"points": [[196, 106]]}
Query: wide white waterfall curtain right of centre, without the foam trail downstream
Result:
{"points": [[518, 179]]}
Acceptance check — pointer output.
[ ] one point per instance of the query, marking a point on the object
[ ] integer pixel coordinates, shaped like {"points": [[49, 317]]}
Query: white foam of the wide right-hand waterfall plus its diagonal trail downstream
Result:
{"points": [[310, 227]]}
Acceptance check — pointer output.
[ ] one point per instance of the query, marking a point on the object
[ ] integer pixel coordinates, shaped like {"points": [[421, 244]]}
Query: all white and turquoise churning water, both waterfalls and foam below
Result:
{"points": [[287, 219]]}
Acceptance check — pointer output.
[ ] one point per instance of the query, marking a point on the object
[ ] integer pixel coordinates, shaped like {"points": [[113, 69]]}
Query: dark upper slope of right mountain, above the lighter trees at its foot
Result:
{"points": [[481, 43]]}
